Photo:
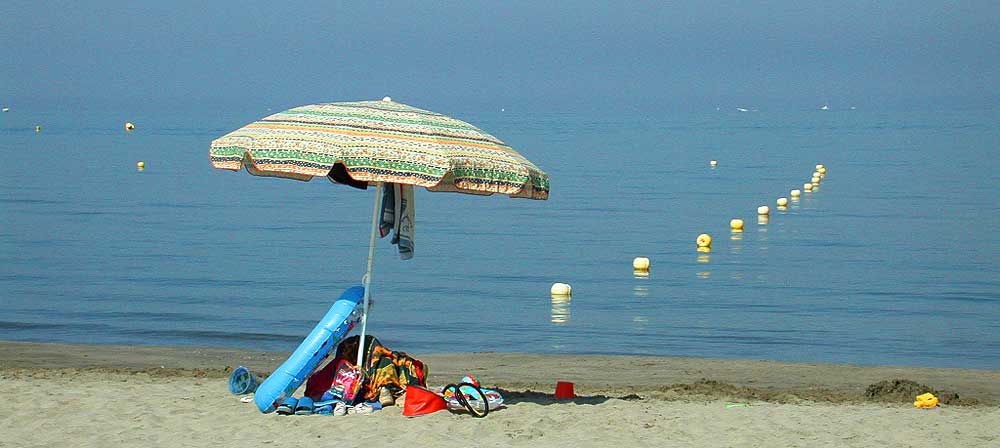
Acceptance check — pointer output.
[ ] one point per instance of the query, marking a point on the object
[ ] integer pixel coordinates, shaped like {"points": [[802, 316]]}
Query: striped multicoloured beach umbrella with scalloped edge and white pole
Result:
{"points": [[366, 143]]}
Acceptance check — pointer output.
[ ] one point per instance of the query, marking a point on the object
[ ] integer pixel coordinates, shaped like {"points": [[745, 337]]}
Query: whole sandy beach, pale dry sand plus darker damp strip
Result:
{"points": [[90, 396]]}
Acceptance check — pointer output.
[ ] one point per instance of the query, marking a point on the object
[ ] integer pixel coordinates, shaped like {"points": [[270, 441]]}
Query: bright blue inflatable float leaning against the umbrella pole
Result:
{"points": [[344, 313]]}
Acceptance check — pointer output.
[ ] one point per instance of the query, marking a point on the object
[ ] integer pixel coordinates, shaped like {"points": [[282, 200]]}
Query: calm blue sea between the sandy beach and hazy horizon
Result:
{"points": [[892, 261]]}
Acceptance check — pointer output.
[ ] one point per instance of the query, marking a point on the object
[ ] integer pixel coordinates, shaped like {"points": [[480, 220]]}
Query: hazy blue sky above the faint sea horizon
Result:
{"points": [[528, 54]]}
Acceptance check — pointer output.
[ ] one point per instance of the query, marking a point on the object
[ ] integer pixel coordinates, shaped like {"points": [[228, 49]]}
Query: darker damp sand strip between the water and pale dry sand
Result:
{"points": [[644, 376]]}
